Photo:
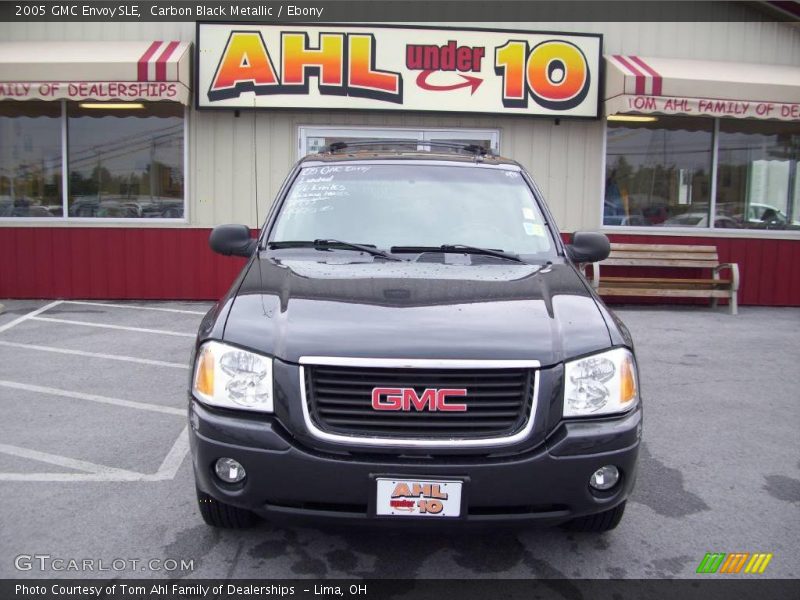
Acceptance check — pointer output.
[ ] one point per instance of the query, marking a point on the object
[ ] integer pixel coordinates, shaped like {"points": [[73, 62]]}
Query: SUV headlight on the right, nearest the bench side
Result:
{"points": [[602, 384]]}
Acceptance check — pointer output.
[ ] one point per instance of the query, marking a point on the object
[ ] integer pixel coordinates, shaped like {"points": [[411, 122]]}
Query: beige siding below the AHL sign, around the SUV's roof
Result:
{"points": [[564, 159]]}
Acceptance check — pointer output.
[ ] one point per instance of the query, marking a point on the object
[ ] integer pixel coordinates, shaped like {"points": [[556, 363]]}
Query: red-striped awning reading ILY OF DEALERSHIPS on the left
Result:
{"points": [[101, 71]]}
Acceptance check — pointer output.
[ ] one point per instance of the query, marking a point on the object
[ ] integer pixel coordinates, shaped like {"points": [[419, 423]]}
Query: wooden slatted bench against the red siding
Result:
{"points": [[668, 256]]}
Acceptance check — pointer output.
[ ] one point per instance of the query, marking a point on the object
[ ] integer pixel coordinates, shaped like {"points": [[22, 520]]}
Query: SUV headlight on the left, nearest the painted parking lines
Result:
{"points": [[232, 378]]}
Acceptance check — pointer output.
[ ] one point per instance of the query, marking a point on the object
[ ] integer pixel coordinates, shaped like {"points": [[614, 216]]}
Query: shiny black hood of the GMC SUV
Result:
{"points": [[291, 308]]}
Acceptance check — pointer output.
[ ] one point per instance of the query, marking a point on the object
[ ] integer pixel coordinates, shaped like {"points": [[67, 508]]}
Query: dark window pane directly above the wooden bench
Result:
{"points": [[658, 172]]}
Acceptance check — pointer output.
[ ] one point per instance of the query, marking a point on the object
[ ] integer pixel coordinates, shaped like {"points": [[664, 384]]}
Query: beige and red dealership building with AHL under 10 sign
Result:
{"points": [[123, 144]]}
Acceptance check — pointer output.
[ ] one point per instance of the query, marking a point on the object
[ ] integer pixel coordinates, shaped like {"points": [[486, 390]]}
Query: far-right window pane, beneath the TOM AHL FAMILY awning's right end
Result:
{"points": [[757, 180]]}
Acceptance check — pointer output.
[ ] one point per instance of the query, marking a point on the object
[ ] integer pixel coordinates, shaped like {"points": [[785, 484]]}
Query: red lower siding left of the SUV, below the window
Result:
{"points": [[123, 263]]}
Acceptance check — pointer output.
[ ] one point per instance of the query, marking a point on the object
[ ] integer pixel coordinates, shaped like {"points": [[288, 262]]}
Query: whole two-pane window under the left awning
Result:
{"points": [[123, 160]]}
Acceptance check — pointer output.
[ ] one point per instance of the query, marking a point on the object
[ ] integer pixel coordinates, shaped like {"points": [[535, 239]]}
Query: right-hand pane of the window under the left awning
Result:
{"points": [[125, 162]]}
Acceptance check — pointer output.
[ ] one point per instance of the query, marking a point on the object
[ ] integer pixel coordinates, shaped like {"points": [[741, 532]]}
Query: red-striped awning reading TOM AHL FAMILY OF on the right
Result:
{"points": [[671, 86]]}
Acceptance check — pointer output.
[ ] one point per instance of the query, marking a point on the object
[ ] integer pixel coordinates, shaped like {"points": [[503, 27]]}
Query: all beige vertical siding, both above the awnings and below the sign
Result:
{"points": [[566, 159]]}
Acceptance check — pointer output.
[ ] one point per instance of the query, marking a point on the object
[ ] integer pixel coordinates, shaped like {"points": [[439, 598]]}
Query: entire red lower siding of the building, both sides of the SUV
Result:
{"points": [[130, 263]]}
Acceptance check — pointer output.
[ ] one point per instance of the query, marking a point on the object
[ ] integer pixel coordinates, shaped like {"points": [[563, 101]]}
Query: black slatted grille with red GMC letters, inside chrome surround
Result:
{"points": [[498, 401]]}
